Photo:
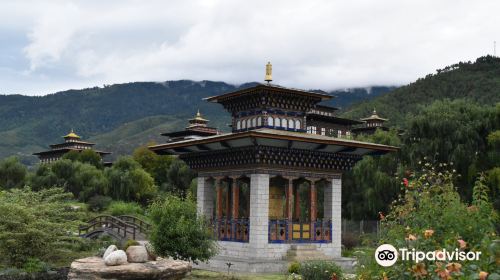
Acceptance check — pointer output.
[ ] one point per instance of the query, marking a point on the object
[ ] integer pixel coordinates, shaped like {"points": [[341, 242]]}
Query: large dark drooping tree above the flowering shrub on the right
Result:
{"points": [[455, 132]]}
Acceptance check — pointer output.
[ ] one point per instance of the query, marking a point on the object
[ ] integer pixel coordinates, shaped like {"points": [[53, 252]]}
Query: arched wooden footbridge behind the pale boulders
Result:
{"points": [[121, 228]]}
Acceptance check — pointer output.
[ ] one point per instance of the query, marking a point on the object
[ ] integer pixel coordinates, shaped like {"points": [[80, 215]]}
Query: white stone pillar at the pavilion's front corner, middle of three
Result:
{"points": [[259, 212]]}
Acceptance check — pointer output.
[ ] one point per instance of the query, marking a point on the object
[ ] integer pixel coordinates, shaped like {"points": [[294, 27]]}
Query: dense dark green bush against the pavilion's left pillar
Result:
{"points": [[178, 232]]}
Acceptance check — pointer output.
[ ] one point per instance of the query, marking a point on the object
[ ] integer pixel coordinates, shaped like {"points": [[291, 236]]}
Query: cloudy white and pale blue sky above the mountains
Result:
{"points": [[47, 46]]}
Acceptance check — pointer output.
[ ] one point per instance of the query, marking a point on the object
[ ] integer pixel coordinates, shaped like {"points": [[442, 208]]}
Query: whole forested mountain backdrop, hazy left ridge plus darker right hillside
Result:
{"points": [[120, 117]]}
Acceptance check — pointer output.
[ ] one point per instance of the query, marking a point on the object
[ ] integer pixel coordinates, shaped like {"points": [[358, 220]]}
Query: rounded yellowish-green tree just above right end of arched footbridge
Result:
{"points": [[129, 182]]}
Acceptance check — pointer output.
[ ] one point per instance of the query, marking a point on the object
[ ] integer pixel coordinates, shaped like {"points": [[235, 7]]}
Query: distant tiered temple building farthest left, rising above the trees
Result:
{"points": [[72, 142]]}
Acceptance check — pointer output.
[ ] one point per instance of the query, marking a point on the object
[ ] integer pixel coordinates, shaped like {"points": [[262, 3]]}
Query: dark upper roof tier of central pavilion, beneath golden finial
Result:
{"points": [[263, 96]]}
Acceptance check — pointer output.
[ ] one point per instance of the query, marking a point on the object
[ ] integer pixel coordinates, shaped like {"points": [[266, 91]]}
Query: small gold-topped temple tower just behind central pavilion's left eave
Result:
{"points": [[196, 129]]}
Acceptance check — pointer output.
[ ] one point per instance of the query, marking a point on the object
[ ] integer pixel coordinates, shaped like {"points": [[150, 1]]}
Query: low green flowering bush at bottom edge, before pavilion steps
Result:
{"points": [[320, 270]]}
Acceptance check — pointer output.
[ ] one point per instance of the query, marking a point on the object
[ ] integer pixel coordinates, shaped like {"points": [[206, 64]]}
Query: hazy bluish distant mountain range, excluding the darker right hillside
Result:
{"points": [[119, 117]]}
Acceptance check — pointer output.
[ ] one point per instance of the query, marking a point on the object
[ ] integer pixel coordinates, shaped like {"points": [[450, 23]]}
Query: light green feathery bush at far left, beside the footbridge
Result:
{"points": [[36, 225]]}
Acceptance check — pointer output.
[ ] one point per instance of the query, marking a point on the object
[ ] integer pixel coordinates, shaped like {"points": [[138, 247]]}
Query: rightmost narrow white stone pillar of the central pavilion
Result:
{"points": [[336, 216]]}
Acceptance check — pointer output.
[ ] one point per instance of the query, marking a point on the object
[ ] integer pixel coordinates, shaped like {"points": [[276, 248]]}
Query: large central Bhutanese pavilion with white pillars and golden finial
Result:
{"points": [[271, 188]]}
